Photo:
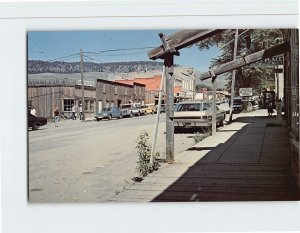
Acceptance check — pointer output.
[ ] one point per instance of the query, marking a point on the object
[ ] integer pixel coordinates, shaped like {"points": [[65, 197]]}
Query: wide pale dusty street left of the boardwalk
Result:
{"points": [[89, 161]]}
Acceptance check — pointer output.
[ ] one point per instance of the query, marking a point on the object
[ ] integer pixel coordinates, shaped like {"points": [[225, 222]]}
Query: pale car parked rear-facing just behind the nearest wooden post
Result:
{"points": [[196, 114]]}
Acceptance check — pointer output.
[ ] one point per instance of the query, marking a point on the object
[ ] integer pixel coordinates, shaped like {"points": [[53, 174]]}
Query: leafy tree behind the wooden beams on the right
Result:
{"points": [[250, 41]]}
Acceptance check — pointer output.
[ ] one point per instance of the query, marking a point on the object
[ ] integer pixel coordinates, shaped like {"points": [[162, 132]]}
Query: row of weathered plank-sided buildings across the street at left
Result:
{"points": [[46, 94]]}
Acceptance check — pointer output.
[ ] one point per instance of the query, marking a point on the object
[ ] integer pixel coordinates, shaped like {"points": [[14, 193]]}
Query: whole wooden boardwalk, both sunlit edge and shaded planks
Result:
{"points": [[247, 160]]}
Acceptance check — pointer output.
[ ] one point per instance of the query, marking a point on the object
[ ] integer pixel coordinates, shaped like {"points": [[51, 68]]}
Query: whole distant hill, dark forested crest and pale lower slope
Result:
{"points": [[38, 70]]}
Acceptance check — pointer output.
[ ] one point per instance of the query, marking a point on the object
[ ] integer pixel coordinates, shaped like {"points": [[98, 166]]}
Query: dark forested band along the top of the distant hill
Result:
{"points": [[35, 67]]}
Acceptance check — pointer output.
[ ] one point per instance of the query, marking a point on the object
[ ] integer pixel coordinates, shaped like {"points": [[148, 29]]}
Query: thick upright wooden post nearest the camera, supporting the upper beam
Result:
{"points": [[169, 62]]}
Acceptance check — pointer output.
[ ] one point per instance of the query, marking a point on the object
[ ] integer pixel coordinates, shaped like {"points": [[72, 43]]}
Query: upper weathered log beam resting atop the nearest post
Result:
{"points": [[181, 39]]}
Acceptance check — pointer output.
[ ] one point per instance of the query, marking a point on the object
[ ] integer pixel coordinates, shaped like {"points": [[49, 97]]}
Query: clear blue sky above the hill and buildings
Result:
{"points": [[49, 45]]}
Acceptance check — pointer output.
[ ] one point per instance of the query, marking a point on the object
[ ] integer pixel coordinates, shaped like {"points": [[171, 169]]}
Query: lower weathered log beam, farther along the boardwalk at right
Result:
{"points": [[254, 57]]}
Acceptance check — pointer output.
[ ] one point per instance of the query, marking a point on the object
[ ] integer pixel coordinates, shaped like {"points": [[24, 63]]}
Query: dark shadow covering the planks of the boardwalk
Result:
{"points": [[251, 165]]}
